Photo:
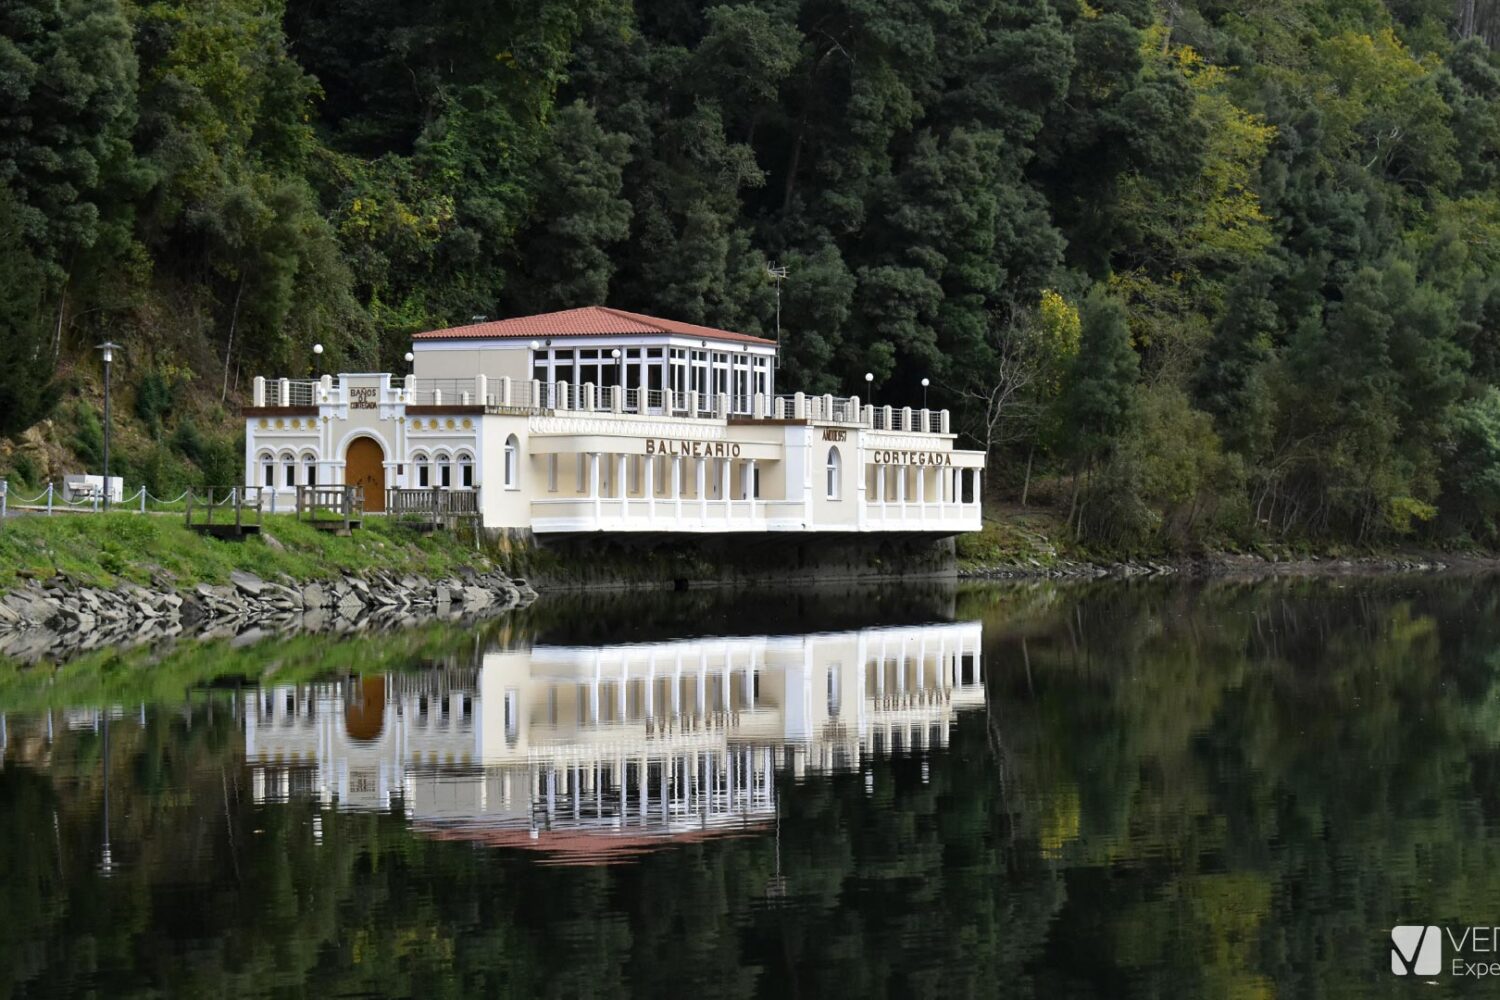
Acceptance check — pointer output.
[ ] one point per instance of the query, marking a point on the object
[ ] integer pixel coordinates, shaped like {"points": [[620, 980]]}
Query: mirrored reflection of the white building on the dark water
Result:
{"points": [[593, 755]]}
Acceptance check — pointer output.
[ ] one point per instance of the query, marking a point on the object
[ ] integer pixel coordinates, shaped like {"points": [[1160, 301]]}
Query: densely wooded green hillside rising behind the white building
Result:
{"points": [[1192, 269]]}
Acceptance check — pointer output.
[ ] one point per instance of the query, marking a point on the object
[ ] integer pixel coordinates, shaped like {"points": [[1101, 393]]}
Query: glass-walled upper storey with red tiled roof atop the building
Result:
{"points": [[602, 347]]}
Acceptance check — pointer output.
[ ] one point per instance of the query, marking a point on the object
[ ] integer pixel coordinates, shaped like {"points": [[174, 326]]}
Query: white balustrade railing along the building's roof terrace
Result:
{"points": [[506, 395]]}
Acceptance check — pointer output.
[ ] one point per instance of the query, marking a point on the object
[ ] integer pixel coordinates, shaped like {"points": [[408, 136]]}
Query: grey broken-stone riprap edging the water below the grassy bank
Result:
{"points": [[59, 618]]}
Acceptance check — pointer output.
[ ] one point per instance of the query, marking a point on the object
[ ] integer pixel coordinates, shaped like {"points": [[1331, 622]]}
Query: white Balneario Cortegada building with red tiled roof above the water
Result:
{"points": [[596, 419]]}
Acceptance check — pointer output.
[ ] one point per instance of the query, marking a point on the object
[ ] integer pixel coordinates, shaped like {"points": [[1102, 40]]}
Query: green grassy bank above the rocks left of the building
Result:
{"points": [[106, 549]]}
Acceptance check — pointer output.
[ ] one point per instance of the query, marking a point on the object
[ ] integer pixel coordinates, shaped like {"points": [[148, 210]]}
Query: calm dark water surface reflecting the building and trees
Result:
{"points": [[1118, 791]]}
